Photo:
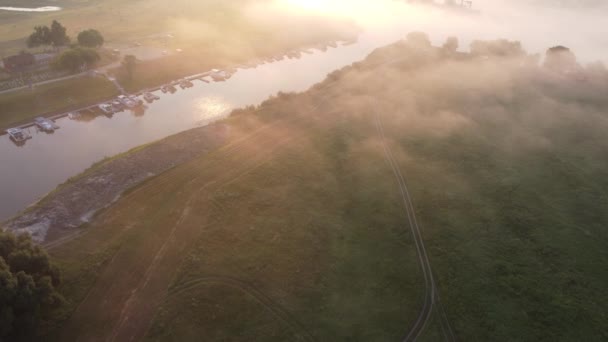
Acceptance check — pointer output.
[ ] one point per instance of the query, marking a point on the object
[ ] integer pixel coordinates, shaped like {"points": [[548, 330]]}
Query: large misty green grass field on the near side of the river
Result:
{"points": [[295, 230]]}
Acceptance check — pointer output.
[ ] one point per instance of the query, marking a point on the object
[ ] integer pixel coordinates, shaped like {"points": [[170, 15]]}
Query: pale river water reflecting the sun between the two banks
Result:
{"points": [[29, 172]]}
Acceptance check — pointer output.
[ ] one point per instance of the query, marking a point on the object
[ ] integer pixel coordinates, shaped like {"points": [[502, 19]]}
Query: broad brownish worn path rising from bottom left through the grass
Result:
{"points": [[125, 297]]}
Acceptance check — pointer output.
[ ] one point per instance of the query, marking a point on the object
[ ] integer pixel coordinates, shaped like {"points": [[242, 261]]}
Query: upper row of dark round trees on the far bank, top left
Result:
{"points": [[56, 36]]}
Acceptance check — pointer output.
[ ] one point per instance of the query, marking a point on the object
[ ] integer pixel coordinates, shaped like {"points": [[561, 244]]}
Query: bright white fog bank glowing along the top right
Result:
{"points": [[579, 25]]}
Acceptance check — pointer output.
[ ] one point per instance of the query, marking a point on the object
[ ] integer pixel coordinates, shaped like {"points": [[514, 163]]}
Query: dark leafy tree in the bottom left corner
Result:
{"points": [[28, 282]]}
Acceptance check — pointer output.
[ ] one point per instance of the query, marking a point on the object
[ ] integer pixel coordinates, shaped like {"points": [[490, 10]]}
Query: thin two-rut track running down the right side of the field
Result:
{"points": [[431, 298]]}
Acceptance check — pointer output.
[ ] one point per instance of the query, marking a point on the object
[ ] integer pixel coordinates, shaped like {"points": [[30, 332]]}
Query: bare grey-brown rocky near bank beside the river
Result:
{"points": [[72, 204]]}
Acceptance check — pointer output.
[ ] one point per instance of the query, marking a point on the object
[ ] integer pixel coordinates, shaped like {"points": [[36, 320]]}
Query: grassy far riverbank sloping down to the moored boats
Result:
{"points": [[71, 94]]}
